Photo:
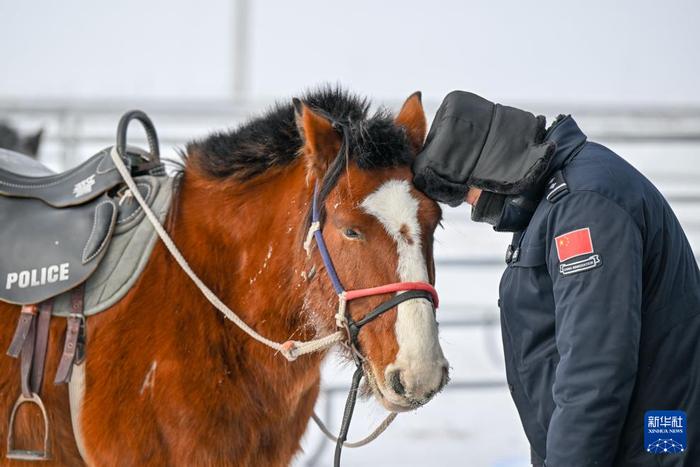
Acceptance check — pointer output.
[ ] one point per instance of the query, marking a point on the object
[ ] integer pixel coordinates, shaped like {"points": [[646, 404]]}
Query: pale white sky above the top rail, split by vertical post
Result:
{"points": [[630, 52]]}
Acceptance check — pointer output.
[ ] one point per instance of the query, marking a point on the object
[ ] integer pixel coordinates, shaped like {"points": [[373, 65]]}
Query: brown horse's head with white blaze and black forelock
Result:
{"points": [[378, 229]]}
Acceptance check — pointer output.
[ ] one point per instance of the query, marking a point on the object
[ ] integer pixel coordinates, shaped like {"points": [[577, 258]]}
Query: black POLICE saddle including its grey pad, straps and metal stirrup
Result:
{"points": [[57, 230]]}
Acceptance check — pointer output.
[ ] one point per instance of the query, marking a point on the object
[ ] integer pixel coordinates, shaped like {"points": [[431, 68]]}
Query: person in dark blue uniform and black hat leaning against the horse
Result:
{"points": [[600, 301]]}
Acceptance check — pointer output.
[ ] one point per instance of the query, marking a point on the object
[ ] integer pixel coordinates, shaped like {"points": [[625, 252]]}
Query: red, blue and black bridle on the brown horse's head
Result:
{"points": [[343, 319]]}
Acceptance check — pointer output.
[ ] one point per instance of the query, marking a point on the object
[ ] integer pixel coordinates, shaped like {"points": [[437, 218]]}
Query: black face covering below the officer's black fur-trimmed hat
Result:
{"points": [[506, 213]]}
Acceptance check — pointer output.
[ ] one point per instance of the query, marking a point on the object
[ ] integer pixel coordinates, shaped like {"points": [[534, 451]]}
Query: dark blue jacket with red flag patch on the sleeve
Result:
{"points": [[594, 340]]}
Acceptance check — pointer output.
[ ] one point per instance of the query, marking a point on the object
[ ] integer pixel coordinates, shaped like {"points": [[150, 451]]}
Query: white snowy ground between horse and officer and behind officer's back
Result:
{"points": [[478, 427]]}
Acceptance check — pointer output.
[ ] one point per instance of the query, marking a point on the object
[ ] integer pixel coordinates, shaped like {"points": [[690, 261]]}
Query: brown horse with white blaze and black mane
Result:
{"points": [[169, 381]]}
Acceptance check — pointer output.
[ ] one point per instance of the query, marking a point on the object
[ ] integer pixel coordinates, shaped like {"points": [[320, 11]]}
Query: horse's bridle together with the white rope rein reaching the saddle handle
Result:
{"points": [[348, 328]]}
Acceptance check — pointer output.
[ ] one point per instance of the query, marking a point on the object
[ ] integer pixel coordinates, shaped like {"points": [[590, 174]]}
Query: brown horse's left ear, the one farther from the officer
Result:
{"points": [[321, 140]]}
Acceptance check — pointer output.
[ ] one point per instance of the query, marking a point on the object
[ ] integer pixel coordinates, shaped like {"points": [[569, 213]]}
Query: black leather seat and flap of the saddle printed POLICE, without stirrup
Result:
{"points": [[56, 227]]}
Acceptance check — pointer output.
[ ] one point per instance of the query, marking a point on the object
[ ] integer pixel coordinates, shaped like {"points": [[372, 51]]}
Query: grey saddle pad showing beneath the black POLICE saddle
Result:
{"points": [[128, 252]]}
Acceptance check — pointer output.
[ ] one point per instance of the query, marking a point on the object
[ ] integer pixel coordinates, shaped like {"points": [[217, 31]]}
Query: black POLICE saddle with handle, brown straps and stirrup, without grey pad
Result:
{"points": [[54, 231]]}
